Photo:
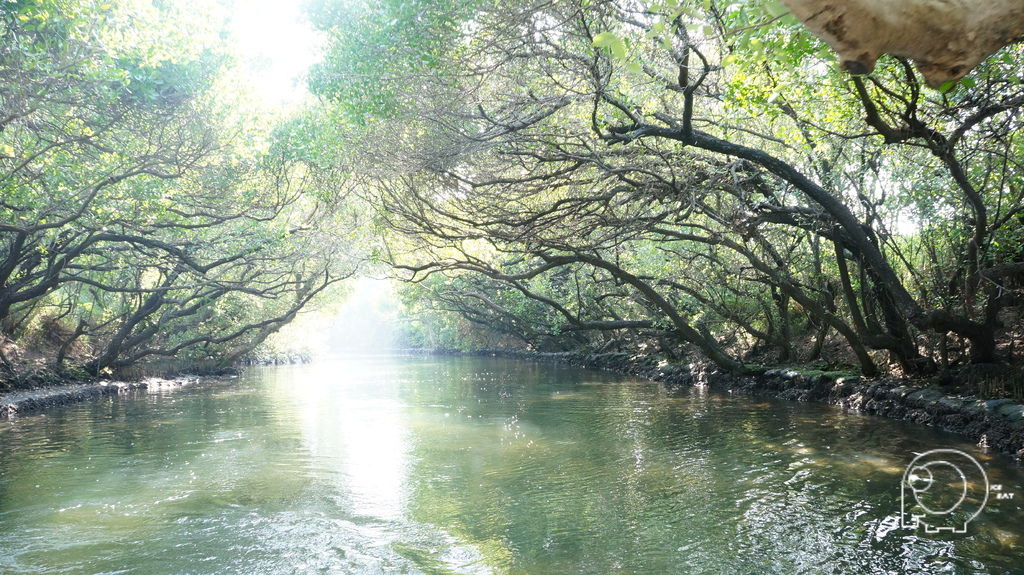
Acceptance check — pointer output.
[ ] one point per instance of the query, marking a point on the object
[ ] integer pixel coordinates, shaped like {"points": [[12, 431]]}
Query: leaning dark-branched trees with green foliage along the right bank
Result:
{"points": [[677, 176]]}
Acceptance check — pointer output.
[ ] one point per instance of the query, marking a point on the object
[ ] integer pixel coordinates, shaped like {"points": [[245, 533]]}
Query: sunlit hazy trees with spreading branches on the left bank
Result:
{"points": [[140, 217]]}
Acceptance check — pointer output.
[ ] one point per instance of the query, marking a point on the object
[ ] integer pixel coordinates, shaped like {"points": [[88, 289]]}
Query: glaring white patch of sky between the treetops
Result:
{"points": [[278, 47]]}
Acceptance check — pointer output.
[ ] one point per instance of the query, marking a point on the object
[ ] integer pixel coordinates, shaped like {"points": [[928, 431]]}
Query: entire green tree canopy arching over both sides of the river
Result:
{"points": [[693, 180]]}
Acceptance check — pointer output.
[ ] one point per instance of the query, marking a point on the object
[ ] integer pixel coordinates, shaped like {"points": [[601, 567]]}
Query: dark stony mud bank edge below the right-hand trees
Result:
{"points": [[998, 424]]}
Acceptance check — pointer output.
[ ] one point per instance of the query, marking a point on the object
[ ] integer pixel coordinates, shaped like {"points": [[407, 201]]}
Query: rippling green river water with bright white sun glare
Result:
{"points": [[474, 466]]}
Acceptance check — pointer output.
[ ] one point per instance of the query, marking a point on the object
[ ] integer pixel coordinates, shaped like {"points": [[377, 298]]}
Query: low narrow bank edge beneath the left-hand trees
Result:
{"points": [[25, 403]]}
